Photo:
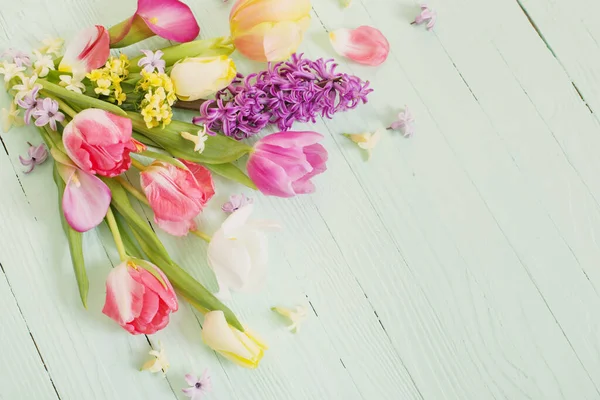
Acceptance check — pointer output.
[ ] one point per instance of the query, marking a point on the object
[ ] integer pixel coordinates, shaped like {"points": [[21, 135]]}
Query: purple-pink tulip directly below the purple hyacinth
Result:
{"points": [[282, 164]]}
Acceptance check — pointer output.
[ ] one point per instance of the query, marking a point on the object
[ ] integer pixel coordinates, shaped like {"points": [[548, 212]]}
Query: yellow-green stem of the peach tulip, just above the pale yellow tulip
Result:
{"points": [[198, 48]]}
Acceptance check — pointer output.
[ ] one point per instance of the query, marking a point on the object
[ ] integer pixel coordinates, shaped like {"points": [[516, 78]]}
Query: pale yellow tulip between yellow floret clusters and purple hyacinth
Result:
{"points": [[196, 78]]}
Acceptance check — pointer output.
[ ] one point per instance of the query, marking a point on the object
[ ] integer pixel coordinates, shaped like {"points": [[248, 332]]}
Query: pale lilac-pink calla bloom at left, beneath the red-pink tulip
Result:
{"points": [[85, 201]]}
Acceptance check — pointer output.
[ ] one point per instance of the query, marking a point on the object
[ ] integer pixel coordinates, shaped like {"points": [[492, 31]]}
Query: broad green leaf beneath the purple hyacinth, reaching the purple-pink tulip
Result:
{"points": [[219, 149]]}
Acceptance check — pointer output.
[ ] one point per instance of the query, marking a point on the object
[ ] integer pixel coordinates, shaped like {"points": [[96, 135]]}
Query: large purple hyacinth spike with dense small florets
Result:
{"points": [[291, 91]]}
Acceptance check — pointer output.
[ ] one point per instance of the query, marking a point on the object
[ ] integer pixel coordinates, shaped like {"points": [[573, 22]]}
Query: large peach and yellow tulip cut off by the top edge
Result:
{"points": [[269, 30]]}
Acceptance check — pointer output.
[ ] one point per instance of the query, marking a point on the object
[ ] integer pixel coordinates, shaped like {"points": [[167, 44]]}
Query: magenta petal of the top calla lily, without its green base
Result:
{"points": [[170, 19]]}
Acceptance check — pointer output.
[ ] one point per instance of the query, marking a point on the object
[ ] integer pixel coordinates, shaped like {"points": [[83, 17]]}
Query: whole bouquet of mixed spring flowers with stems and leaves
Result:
{"points": [[101, 115]]}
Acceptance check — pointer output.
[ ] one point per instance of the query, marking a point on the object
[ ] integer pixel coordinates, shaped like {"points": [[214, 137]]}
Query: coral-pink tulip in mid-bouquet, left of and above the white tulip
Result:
{"points": [[177, 195]]}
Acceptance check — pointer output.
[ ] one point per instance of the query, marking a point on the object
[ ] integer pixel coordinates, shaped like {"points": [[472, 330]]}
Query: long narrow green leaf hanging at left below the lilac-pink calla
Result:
{"points": [[75, 244]]}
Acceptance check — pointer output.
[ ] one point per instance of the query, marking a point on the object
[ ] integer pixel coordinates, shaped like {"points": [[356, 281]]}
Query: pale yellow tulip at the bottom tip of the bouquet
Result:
{"points": [[242, 348]]}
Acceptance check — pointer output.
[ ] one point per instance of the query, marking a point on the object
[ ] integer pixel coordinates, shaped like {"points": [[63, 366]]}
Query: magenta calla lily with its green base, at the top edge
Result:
{"points": [[170, 19]]}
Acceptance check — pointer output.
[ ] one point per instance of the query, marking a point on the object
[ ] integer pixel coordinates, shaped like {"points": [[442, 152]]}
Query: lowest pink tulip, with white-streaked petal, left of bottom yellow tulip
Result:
{"points": [[137, 300]]}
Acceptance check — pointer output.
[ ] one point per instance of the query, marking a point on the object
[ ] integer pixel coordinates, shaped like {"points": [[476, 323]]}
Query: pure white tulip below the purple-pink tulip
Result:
{"points": [[238, 253]]}
